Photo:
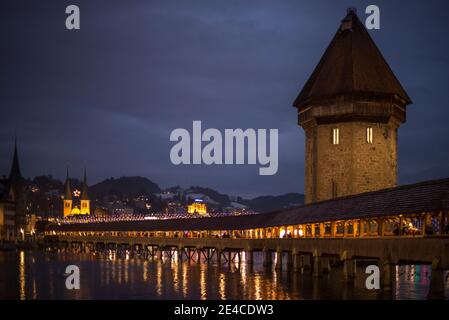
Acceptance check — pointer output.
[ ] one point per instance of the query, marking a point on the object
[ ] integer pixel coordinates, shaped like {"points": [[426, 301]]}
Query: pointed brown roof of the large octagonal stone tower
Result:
{"points": [[352, 67]]}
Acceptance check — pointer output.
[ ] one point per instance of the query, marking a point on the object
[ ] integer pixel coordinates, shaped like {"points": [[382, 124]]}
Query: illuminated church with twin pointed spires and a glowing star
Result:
{"points": [[76, 202]]}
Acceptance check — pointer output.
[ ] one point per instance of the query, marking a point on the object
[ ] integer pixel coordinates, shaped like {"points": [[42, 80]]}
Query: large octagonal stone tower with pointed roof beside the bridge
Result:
{"points": [[350, 109]]}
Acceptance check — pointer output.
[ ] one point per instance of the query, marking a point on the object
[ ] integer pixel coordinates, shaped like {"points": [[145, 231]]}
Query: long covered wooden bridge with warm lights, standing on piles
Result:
{"points": [[401, 225]]}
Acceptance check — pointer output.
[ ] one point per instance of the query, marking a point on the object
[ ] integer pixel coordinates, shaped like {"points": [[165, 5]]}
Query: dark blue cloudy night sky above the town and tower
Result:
{"points": [[108, 96]]}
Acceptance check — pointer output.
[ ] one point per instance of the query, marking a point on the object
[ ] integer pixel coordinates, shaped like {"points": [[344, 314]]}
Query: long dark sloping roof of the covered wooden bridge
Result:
{"points": [[429, 196]]}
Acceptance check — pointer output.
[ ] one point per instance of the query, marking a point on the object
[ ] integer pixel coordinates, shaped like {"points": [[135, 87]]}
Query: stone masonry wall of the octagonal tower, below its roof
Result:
{"points": [[354, 165]]}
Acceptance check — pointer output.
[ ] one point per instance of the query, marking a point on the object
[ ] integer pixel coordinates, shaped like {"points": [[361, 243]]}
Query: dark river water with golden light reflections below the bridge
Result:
{"points": [[40, 275]]}
